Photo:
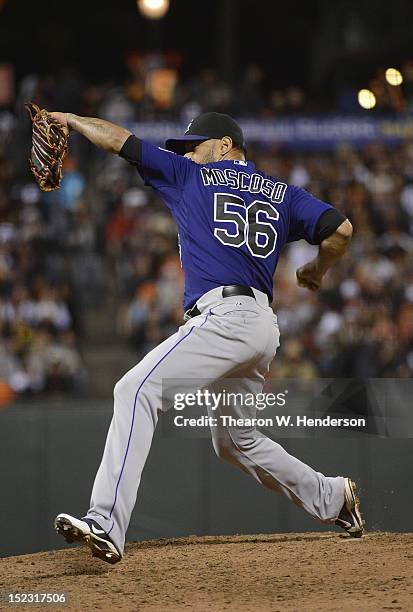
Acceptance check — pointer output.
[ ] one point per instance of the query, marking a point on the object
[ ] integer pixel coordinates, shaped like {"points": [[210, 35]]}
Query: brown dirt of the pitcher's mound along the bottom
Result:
{"points": [[254, 573]]}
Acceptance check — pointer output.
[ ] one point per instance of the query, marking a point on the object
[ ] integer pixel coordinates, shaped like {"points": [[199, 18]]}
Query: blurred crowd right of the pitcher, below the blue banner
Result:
{"points": [[361, 323]]}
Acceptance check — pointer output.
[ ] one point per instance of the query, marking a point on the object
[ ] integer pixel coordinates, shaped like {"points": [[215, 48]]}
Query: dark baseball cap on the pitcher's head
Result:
{"points": [[205, 127]]}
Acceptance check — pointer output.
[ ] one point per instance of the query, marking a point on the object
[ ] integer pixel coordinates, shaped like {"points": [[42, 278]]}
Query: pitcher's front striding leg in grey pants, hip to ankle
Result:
{"points": [[208, 347]]}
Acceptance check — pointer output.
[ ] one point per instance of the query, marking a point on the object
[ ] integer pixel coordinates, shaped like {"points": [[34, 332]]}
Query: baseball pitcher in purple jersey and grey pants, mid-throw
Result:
{"points": [[233, 221]]}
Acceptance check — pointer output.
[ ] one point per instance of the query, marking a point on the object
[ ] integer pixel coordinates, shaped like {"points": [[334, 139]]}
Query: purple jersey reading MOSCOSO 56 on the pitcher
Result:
{"points": [[233, 220]]}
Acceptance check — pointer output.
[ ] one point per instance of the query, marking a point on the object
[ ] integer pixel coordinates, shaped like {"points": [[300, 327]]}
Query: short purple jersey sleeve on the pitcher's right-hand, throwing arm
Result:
{"points": [[305, 211]]}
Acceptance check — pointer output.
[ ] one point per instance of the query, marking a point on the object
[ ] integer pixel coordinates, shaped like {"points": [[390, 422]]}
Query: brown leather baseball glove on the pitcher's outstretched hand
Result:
{"points": [[49, 148]]}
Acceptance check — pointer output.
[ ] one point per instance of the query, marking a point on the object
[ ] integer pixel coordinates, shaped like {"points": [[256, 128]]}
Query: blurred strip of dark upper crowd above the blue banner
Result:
{"points": [[155, 88]]}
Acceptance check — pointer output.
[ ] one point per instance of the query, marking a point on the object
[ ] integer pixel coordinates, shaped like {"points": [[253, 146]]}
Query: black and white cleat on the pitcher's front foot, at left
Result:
{"points": [[88, 533]]}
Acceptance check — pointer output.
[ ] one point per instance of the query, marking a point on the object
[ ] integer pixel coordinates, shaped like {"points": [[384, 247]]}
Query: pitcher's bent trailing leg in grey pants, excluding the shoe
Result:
{"points": [[269, 463]]}
